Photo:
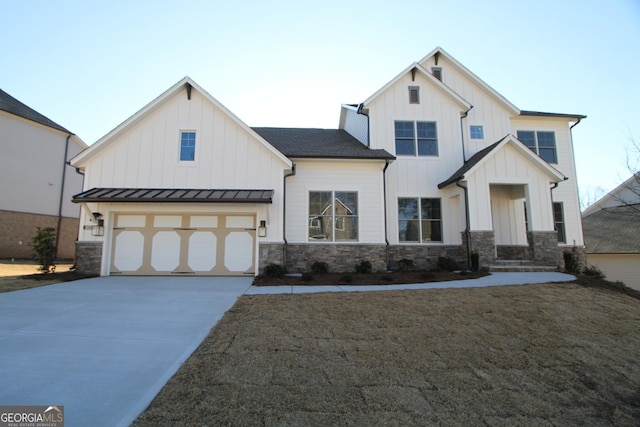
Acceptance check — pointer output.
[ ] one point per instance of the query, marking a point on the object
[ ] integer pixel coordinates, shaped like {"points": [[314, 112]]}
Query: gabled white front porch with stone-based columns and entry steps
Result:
{"points": [[509, 206]]}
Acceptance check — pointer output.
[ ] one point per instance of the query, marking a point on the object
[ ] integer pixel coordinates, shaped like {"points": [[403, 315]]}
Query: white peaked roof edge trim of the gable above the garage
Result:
{"points": [[190, 85]]}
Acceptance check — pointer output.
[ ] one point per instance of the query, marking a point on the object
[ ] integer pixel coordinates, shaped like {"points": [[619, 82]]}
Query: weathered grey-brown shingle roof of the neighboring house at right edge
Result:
{"points": [[613, 230]]}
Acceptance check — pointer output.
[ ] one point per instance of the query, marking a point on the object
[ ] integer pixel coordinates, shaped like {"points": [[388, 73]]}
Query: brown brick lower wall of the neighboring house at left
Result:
{"points": [[16, 227]]}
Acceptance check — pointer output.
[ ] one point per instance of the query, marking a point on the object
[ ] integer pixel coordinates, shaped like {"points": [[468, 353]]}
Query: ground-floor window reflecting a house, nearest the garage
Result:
{"points": [[333, 215]]}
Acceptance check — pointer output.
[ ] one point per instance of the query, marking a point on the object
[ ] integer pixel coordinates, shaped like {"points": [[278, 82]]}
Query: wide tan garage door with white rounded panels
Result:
{"points": [[221, 244]]}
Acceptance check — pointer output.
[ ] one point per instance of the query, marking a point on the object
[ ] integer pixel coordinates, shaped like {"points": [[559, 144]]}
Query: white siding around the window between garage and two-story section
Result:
{"points": [[363, 177]]}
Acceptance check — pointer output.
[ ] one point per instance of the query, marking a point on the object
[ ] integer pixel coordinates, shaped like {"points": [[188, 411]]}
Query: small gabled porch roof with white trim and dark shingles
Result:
{"points": [[477, 159]]}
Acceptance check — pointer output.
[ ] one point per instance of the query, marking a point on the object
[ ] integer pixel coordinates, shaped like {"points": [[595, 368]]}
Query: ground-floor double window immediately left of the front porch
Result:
{"points": [[419, 220]]}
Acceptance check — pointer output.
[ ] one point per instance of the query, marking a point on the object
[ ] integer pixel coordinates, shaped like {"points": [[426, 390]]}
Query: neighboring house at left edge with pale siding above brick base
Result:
{"points": [[37, 183]]}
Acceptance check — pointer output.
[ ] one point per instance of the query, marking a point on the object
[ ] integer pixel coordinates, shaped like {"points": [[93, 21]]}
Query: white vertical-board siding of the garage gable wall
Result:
{"points": [[146, 155]]}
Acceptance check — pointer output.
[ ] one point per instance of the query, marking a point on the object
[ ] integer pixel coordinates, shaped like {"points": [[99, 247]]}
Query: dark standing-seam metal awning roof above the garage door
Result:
{"points": [[165, 195]]}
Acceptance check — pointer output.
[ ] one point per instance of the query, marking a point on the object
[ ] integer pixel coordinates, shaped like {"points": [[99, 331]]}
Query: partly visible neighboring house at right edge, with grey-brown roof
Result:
{"points": [[612, 233]]}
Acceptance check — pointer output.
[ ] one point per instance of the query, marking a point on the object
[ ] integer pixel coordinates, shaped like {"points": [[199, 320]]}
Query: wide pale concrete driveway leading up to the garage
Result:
{"points": [[104, 347]]}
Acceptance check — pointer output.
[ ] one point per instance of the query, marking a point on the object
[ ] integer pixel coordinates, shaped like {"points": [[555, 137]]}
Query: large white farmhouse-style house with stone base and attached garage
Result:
{"points": [[434, 164]]}
